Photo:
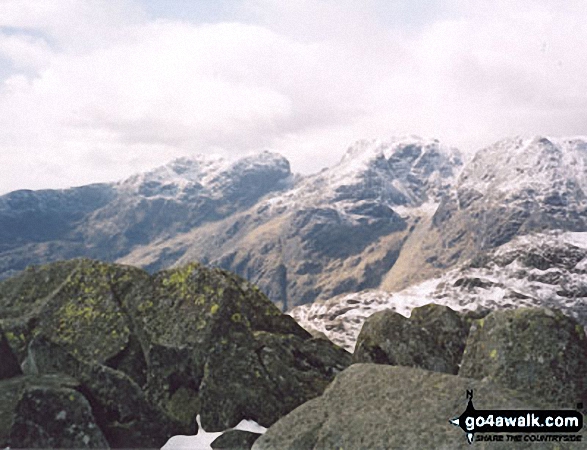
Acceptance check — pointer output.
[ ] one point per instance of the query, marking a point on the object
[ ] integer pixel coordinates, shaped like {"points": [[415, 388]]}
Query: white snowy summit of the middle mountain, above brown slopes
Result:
{"points": [[377, 167]]}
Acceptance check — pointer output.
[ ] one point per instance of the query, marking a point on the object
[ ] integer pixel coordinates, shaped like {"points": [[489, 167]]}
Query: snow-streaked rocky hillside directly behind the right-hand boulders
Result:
{"points": [[545, 269]]}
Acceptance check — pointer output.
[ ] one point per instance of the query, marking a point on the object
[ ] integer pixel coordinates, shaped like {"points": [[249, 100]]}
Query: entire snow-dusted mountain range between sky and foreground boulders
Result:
{"points": [[394, 215]]}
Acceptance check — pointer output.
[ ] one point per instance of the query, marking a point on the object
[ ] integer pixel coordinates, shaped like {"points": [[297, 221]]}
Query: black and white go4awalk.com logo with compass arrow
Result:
{"points": [[520, 425]]}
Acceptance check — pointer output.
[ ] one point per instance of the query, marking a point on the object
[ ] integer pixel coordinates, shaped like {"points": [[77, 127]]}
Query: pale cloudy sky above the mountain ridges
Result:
{"points": [[95, 90]]}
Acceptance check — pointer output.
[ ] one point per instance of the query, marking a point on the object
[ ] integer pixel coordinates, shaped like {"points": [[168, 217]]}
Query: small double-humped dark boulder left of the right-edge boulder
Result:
{"points": [[433, 338]]}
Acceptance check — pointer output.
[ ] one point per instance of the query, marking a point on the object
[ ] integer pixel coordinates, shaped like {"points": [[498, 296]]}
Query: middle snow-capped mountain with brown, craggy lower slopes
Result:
{"points": [[336, 231]]}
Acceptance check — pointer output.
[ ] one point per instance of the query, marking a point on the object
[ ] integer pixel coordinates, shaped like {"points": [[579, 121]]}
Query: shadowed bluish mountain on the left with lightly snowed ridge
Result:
{"points": [[107, 221]]}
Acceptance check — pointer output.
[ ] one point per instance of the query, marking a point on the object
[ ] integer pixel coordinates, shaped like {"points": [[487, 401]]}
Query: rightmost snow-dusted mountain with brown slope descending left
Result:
{"points": [[514, 187]]}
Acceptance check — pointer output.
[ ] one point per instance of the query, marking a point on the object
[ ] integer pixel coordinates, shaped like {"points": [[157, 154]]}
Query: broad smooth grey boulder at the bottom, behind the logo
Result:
{"points": [[372, 406]]}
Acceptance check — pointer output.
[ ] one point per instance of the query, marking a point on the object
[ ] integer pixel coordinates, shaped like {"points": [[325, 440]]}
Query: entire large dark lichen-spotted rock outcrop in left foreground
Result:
{"points": [[161, 349]]}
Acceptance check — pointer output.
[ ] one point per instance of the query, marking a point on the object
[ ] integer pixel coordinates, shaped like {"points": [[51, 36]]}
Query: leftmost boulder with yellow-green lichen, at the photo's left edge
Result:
{"points": [[79, 304]]}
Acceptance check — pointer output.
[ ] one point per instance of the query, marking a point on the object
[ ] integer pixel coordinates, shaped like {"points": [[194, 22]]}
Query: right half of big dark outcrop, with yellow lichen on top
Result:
{"points": [[222, 326]]}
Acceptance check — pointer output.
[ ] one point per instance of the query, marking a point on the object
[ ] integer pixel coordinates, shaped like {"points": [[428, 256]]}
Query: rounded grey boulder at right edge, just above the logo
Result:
{"points": [[534, 349]]}
